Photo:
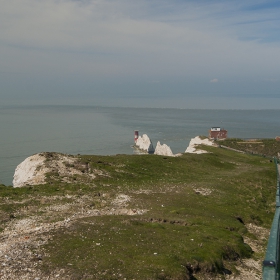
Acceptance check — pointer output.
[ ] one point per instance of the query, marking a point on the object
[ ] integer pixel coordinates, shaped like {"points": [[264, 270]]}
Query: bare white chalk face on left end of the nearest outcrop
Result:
{"points": [[29, 172]]}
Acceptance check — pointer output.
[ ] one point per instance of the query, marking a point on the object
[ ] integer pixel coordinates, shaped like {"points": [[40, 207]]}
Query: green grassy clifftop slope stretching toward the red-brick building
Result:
{"points": [[182, 232]]}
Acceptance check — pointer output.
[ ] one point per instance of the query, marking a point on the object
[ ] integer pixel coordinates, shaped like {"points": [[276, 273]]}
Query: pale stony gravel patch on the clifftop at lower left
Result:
{"points": [[21, 253]]}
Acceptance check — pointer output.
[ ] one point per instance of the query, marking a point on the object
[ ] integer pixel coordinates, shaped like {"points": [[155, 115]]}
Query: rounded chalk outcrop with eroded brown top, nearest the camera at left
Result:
{"points": [[34, 169]]}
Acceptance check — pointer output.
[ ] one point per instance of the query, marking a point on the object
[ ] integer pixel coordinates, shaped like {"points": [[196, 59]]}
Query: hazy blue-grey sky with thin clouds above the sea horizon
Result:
{"points": [[196, 54]]}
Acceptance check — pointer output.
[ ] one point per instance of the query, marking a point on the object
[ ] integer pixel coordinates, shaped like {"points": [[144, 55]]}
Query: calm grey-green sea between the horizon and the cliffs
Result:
{"points": [[108, 131]]}
